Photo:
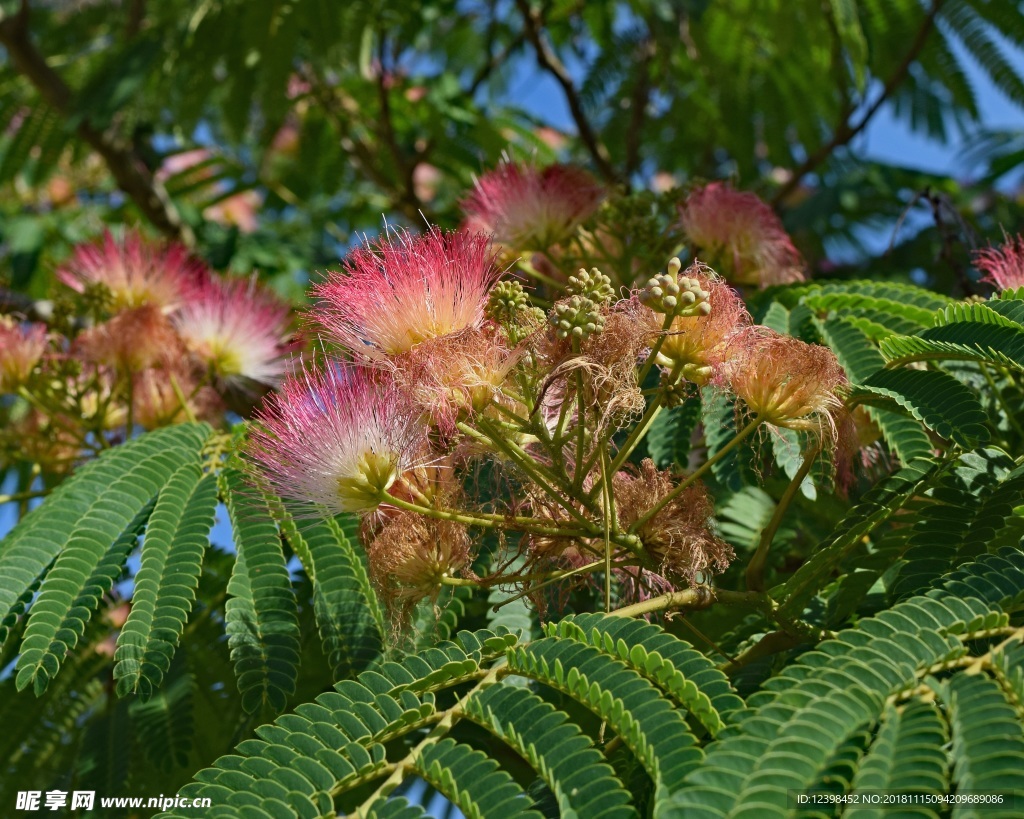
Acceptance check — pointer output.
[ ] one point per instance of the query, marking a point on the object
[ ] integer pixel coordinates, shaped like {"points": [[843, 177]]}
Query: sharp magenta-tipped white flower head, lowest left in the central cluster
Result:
{"points": [[336, 441]]}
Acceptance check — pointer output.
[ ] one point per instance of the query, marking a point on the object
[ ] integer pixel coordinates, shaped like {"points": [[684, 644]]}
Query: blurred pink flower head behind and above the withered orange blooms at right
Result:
{"points": [[742, 236]]}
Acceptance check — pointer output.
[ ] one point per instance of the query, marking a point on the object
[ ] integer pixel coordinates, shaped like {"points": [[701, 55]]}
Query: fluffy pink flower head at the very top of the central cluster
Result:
{"points": [[529, 208]]}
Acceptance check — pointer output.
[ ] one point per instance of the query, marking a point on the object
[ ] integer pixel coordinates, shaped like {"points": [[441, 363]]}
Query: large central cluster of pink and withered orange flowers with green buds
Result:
{"points": [[440, 367]]}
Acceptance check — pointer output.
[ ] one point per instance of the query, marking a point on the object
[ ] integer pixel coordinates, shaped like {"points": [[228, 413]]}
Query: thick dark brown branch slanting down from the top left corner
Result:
{"points": [[123, 159]]}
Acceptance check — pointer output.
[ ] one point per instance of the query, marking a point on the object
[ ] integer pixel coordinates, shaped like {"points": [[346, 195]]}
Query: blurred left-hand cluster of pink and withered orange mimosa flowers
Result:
{"points": [[144, 335]]}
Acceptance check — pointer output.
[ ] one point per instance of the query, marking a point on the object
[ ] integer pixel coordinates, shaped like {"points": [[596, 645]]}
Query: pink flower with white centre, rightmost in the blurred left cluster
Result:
{"points": [[239, 330]]}
